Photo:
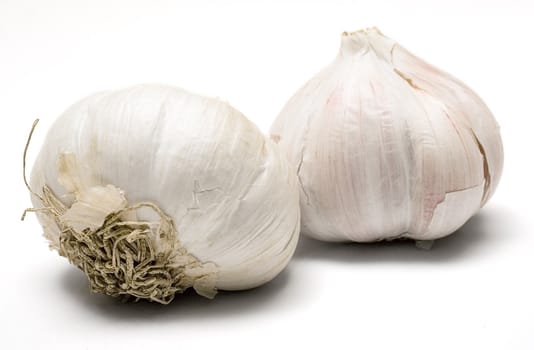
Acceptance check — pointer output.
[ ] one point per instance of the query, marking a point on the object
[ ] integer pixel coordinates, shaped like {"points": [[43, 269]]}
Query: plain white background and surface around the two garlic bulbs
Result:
{"points": [[473, 290]]}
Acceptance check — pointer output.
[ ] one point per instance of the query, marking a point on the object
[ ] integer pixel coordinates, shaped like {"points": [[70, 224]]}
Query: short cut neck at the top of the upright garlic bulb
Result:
{"points": [[364, 41]]}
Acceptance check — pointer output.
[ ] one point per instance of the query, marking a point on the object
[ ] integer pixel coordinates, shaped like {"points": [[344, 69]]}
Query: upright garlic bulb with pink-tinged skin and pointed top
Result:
{"points": [[388, 146]]}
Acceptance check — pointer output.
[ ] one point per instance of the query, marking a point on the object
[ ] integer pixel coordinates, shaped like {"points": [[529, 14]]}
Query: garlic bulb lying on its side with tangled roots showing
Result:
{"points": [[151, 190]]}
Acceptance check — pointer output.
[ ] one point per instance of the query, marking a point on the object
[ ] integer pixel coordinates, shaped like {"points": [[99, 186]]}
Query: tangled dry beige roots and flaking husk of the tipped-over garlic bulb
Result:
{"points": [[120, 255]]}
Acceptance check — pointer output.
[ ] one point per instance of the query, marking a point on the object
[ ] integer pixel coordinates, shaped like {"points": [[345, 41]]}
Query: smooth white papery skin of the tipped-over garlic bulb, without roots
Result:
{"points": [[230, 192]]}
